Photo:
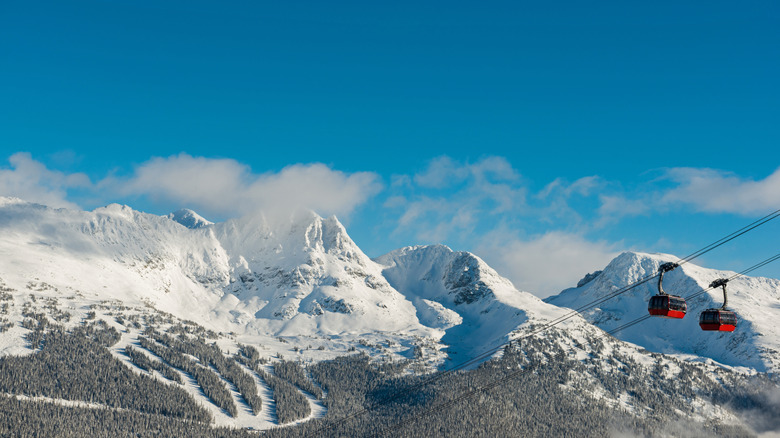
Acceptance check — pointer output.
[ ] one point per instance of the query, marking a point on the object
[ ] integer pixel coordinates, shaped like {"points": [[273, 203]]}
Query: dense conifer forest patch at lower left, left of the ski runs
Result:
{"points": [[77, 366]]}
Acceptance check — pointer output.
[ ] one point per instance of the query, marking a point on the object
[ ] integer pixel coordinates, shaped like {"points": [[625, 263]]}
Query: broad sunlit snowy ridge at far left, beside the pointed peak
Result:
{"points": [[113, 252]]}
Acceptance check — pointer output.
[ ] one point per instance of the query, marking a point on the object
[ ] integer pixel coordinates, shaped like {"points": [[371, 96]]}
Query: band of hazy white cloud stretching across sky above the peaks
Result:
{"points": [[543, 239]]}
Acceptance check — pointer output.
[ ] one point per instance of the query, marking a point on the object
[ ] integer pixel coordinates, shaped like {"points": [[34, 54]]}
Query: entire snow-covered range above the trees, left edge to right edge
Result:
{"points": [[305, 280]]}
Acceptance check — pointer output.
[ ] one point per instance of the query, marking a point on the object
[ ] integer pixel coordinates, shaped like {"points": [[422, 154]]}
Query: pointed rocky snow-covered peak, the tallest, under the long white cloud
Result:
{"points": [[306, 275]]}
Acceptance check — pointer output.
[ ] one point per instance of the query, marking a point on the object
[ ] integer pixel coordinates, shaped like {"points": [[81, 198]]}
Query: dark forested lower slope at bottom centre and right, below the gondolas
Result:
{"points": [[533, 392]]}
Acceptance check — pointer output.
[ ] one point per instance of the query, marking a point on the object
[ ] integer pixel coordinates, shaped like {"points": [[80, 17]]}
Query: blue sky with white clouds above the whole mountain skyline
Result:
{"points": [[544, 136]]}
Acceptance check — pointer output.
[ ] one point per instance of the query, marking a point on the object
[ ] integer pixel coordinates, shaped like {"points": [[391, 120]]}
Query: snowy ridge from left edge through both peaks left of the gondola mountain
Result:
{"points": [[301, 278]]}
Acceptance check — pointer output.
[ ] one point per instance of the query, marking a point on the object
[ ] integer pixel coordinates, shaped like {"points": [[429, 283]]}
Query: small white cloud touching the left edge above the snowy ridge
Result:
{"points": [[32, 181]]}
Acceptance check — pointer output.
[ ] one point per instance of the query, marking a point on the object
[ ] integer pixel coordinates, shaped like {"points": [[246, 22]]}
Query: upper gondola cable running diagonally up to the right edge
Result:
{"points": [[747, 228]]}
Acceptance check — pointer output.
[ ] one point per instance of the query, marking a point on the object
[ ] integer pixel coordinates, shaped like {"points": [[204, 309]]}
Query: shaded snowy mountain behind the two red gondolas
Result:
{"points": [[755, 343]]}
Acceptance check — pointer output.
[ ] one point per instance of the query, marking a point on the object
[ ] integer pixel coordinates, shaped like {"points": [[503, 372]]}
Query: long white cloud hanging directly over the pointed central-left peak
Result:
{"points": [[227, 187]]}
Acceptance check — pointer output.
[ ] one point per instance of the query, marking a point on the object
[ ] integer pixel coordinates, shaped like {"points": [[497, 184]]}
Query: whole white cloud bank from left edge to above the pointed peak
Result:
{"points": [[221, 187]]}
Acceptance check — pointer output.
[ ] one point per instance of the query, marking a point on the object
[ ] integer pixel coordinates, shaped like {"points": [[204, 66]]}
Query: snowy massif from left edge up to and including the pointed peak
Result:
{"points": [[300, 276]]}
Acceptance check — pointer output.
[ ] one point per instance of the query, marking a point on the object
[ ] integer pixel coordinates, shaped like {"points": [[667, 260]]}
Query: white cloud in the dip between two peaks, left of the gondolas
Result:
{"points": [[546, 264]]}
